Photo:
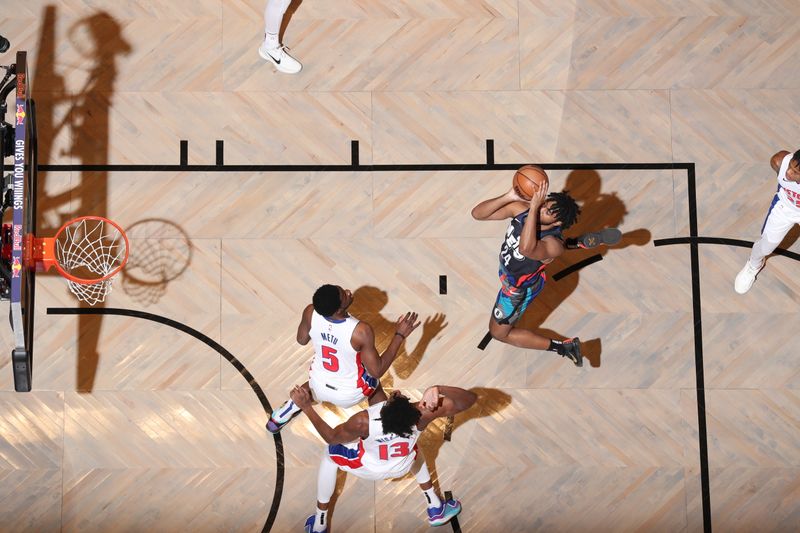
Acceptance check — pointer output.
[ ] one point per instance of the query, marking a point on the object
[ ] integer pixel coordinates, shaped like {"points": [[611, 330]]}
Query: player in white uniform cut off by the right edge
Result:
{"points": [[784, 212]]}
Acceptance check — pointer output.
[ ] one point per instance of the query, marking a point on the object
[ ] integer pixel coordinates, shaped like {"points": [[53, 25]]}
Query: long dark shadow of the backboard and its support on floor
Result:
{"points": [[98, 42]]}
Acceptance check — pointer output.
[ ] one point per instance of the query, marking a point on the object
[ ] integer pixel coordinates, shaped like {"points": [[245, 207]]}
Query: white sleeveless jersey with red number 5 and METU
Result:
{"points": [[336, 362]]}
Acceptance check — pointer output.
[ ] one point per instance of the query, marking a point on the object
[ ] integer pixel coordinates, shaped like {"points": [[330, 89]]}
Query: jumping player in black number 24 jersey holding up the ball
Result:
{"points": [[533, 239]]}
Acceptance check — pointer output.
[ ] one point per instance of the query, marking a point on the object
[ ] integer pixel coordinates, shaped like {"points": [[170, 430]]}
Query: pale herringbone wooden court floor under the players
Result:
{"points": [[136, 425]]}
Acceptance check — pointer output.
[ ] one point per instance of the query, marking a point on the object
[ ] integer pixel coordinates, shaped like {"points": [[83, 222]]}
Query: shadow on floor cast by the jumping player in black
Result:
{"points": [[598, 210]]}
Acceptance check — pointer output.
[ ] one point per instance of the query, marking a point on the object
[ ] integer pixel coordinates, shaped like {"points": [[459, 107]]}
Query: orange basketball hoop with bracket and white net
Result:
{"points": [[88, 251]]}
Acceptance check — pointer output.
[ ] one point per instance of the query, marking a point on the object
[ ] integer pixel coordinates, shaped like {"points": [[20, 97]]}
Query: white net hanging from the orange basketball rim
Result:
{"points": [[90, 249]]}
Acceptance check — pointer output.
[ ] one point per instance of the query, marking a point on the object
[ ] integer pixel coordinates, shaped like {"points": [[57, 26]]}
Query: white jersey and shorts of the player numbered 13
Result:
{"points": [[380, 455]]}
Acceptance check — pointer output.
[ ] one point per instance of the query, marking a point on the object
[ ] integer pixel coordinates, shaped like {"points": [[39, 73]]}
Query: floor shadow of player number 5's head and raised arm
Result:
{"points": [[367, 304]]}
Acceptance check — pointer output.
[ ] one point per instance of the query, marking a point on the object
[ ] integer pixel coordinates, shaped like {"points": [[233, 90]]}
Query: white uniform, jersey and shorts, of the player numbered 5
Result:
{"points": [[337, 374]]}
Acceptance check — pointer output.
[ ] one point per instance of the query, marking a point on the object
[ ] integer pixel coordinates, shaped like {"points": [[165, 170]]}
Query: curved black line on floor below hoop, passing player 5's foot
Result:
{"points": [[214, 345]]}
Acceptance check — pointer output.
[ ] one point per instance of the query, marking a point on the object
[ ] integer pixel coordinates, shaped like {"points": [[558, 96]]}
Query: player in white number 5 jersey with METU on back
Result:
{"points": [[346, 367]]}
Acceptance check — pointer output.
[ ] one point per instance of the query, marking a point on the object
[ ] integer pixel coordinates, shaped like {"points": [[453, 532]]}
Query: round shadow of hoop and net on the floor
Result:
{"points": [[160, 252]]}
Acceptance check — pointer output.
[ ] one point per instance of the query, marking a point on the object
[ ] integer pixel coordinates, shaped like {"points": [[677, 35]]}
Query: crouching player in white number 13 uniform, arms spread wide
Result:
{"points": [[381, 443]]}
